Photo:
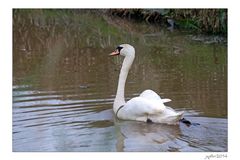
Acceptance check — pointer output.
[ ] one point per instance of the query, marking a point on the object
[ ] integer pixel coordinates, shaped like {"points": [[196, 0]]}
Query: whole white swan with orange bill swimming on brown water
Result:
{"points": [[148, 107]]}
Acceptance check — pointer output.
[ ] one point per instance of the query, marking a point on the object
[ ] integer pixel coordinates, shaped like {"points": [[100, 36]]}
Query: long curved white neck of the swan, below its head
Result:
{"points": [[120, 100]]}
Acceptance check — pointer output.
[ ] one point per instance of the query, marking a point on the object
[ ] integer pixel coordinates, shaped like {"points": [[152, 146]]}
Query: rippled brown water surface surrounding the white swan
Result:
{"points": [[64, 84]]}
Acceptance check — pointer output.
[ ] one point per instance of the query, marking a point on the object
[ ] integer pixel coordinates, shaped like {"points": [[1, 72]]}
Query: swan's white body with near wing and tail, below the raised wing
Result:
{"points": [[142, 109]]}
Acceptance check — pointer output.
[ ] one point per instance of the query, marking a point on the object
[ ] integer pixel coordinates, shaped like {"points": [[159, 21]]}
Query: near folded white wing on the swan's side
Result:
{"points": [[141, 106]]}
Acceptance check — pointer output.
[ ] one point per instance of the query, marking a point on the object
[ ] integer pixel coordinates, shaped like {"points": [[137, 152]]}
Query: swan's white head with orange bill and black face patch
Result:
{"points": [[124, 50]]}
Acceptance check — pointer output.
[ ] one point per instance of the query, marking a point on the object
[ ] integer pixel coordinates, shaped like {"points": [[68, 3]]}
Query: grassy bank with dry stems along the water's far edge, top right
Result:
{"points": [[210, 21]]}
